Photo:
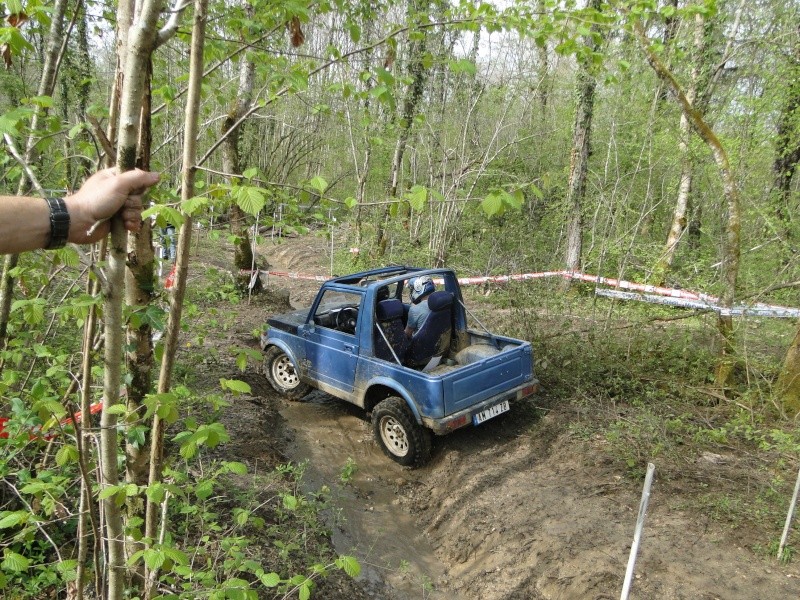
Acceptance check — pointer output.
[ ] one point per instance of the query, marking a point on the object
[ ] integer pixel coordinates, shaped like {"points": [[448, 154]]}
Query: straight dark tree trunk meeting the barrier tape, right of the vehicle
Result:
{"points": [[579, 156]]}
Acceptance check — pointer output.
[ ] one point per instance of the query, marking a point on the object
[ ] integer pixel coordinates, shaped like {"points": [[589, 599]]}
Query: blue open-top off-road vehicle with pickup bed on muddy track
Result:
{"points": [[352, 344]]}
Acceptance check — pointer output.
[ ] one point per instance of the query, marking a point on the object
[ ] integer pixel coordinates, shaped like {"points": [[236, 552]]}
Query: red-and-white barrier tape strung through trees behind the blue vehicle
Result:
{"points": [[666, 296]]}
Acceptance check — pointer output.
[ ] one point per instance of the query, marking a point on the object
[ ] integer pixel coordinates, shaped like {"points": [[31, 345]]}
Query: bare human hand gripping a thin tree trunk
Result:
{"points": [[101, 197]]}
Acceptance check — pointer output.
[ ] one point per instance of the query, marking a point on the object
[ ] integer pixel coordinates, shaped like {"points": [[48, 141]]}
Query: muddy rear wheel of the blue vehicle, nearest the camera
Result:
{"points": [[399, 435]]}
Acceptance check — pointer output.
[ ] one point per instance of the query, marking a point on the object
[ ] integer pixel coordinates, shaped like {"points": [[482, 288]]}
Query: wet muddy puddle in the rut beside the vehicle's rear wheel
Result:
{"points": [[369, 521]]}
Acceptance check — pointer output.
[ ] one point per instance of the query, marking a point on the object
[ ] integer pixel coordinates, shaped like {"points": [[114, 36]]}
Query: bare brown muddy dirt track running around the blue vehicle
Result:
{"points": [[525, 506]]}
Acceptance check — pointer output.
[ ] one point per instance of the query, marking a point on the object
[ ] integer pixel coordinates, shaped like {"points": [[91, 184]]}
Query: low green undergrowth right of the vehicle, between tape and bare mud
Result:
{"points": [[638, 382]]}
